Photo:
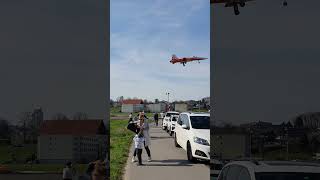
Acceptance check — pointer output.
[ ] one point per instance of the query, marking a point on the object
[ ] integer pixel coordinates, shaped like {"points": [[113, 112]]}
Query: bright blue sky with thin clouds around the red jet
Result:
{"points": [[144, 34]]}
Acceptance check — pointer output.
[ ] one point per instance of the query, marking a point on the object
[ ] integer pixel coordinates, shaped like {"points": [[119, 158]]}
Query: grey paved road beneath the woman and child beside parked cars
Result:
{"points": [[168, 162]]}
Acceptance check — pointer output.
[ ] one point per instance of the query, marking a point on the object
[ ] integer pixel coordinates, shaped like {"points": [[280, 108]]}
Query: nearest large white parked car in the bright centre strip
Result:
{"points": [[192, 133]]}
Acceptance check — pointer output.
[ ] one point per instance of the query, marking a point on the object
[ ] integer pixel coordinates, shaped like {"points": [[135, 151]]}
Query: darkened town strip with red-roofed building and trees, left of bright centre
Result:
{"points": [[58, 140]]}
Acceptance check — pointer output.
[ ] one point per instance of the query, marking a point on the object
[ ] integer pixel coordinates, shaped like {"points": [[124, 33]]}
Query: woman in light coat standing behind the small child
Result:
{"points": [[144, 127]]}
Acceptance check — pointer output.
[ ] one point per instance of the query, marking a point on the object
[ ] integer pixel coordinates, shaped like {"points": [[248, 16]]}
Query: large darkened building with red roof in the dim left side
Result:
{"points": [[80, 141]]}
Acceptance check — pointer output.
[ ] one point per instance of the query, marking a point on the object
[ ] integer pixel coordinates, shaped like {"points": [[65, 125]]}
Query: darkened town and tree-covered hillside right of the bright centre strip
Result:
{"points": [[294, 139]]}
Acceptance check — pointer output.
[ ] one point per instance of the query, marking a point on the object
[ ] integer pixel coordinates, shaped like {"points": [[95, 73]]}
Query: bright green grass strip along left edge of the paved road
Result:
{"points": [[121, 139]]}
